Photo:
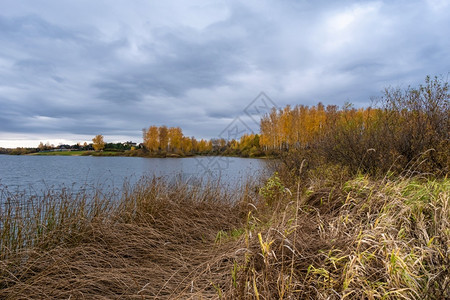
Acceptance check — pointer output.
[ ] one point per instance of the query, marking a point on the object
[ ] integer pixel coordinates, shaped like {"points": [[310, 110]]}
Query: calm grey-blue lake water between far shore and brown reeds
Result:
{"points": [[41, 173]]}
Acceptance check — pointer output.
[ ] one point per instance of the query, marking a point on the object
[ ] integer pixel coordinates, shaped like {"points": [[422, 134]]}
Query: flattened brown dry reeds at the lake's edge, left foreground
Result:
{"points": [[156, 242]]}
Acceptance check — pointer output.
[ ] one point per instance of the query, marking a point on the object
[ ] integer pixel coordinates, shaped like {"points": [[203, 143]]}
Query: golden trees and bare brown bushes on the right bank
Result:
{"points": [[405, 130]]}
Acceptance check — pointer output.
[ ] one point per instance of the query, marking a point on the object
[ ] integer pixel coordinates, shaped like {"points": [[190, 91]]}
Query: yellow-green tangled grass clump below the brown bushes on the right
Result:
{"points": [[363, 240]]}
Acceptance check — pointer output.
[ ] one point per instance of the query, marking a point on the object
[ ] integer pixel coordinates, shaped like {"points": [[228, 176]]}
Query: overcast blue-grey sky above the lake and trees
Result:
{"points": [[72, 69]]}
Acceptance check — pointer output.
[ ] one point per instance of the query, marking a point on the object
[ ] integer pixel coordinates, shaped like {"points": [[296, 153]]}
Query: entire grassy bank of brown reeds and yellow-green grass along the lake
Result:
{"points": [[322, 239]]}
